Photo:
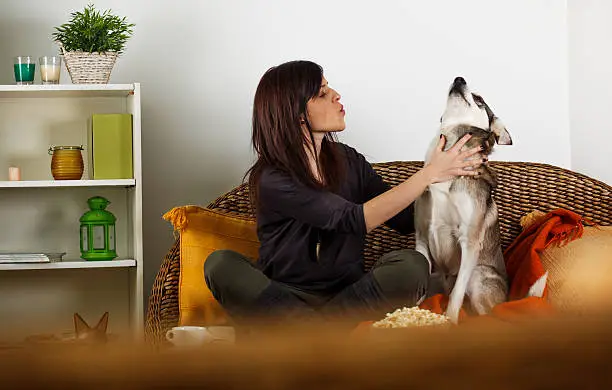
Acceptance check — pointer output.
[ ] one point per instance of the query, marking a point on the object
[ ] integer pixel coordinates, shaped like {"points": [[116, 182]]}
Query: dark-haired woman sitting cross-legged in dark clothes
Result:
{"points": [[316, 199]]}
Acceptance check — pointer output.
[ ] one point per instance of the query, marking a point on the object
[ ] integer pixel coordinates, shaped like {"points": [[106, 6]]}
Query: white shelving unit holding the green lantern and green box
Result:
{"points": [[40, 214]]}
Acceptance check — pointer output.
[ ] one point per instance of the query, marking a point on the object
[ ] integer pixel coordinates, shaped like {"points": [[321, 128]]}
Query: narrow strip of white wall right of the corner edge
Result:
{"points": [[590, 83]]}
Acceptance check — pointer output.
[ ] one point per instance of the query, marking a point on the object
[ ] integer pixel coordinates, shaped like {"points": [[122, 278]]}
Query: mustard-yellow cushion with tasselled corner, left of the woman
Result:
{"points": [[203, 231]]}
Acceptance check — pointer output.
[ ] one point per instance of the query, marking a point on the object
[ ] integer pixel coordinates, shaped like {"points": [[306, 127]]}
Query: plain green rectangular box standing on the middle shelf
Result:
{"points": [[111, 146]]}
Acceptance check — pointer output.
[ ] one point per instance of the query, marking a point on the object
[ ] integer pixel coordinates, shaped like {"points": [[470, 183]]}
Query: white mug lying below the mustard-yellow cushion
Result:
{"points": [[194, 336]]}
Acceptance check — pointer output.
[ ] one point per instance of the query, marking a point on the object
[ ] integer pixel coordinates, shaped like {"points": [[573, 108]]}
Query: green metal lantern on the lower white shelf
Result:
{"points": [[98, 231]]}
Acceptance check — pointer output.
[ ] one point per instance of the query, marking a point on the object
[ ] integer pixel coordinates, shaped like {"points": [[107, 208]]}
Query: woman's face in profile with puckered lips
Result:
{"points": [[325, 113]]}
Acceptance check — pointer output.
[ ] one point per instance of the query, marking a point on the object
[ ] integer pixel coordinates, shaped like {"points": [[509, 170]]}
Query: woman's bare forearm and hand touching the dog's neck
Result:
{"points": [[442, 166]]}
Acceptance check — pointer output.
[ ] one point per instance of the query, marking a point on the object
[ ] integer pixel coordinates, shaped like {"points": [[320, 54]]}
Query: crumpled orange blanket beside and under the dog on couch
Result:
{"points": [[524, 268]]}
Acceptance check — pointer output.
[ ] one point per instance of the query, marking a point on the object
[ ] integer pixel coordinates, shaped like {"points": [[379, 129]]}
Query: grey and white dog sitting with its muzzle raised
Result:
{"points": [[457, 227]]}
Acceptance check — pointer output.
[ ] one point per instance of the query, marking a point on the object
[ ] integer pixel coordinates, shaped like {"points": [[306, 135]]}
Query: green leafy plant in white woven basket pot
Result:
{"points": [[90, 43]]}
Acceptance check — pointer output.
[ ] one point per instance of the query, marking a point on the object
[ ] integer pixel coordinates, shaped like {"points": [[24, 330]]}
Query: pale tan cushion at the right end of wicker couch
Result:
{"points": [[579, 273]]}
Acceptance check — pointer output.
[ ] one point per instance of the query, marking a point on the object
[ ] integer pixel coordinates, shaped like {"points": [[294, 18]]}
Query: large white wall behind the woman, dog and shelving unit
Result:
{"points": [[199, 63]]}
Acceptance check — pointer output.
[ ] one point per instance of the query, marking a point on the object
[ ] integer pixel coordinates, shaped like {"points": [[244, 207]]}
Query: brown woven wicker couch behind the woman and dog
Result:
{"points": [[522, 188]]}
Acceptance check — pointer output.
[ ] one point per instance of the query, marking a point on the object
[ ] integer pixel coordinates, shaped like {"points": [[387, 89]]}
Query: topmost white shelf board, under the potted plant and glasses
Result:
{"points": [[66, 90]]}
